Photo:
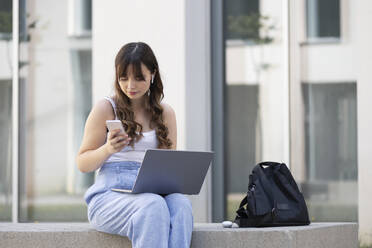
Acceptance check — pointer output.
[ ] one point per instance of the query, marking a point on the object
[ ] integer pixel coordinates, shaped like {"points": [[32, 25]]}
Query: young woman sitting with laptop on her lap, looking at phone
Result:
{"points": [[148, 220]]}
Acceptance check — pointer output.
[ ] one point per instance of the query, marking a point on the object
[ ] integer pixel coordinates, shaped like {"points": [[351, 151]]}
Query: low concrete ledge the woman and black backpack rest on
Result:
{"points": [[81, 235]]}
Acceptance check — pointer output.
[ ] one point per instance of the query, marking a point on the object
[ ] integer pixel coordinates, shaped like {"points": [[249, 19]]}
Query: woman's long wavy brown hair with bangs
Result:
{"points": [[134, 54]]}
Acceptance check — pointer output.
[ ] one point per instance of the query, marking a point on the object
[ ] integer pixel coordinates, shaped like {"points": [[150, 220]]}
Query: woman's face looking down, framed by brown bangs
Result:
{"points": [[135, 87]]}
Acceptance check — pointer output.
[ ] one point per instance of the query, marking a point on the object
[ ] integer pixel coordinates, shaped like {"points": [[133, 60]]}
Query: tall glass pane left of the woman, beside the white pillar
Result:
{"points": [[55, 99]]}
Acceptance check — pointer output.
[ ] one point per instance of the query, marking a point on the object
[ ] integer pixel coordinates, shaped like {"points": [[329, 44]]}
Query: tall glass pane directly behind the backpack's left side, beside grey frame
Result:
{"points": [[255, 97]]}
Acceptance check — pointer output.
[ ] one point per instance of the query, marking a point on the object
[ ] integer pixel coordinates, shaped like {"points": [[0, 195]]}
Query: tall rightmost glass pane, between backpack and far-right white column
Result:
{"points": [[323, 107]]}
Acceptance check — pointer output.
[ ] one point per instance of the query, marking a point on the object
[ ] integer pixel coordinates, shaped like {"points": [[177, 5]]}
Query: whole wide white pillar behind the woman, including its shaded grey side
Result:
{"points": [[177, 32]]}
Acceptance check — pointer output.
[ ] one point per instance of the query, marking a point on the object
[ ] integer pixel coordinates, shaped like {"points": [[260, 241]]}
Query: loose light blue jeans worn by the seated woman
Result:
{"points": [[148, 220]]}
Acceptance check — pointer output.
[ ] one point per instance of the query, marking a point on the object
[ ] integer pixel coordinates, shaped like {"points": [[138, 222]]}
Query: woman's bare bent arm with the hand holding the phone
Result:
{"points": [[94, 150]]}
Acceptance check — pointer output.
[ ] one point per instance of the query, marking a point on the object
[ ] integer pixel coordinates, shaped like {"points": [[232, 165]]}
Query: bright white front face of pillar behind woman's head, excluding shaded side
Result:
{"points": [[120, 22]]}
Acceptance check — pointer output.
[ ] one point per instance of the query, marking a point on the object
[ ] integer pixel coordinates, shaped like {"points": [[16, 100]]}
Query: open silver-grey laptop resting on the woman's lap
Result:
{"points": [[171, 171]]}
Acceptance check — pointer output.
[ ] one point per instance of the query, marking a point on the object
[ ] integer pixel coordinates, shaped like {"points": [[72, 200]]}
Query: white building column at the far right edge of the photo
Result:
{"points": [[364, 103]]}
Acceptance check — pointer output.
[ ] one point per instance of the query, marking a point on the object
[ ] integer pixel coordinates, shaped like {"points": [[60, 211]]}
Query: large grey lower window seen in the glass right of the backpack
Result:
{"points": [[331, 151]]}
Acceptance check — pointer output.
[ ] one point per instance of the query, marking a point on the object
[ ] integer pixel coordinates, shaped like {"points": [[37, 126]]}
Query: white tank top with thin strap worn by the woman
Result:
{"points": [[148, 141]]}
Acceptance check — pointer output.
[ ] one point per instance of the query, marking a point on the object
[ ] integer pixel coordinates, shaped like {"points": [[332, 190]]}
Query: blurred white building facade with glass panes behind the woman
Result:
{"points": [[251, 80]]}
